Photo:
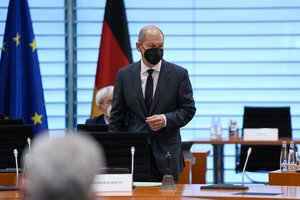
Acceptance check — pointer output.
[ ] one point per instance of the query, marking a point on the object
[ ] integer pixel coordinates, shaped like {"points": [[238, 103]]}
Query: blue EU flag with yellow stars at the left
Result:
{"points": [[21, 91]]}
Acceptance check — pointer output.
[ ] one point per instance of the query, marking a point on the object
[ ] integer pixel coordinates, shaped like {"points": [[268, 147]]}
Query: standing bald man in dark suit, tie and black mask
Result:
{"points": [[169, 107]]}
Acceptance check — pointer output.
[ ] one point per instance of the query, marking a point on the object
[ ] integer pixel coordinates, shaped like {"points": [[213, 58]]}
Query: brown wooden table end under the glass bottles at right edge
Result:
{"points": [[284, 178]]}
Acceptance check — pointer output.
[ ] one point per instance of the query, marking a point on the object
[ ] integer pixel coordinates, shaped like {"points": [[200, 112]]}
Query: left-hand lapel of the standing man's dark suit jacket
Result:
{"points": [[136, 84]]}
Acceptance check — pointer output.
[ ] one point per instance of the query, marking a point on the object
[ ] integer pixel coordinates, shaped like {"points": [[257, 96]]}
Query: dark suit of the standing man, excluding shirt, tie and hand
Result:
{"points": [[173, 98]]}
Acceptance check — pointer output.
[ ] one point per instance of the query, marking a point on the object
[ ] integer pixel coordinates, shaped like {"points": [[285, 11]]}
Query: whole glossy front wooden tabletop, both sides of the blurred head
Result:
{"points": [[189, 192]]}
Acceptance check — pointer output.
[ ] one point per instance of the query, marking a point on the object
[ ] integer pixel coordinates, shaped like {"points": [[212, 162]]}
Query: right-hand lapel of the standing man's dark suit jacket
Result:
{"points": [[163, 80]]}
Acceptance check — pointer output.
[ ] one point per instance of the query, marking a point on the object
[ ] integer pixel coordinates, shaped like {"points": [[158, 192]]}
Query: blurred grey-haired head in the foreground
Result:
{"points": [[62, 168]]}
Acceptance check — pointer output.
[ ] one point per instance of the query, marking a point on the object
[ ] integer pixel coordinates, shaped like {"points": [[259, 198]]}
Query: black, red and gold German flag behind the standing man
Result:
{"points": [[115, 50]]}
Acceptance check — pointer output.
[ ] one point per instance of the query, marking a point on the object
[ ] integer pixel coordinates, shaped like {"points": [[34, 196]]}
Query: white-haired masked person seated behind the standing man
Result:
{"points": [[103, 101]]}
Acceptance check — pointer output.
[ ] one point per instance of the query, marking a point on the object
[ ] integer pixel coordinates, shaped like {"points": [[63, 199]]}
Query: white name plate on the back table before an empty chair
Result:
{"points": [[270, 134]]}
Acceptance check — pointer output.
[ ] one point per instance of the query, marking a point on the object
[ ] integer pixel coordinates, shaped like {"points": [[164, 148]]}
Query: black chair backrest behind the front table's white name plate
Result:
{"points": [[117, 149]]}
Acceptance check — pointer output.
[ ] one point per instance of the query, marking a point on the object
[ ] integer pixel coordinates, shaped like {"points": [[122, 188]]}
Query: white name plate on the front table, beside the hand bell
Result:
{"points": [[112, 183]]}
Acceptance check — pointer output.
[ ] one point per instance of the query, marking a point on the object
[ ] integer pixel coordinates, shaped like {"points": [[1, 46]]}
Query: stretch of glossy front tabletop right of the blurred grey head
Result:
{"points": [[194, 191]]}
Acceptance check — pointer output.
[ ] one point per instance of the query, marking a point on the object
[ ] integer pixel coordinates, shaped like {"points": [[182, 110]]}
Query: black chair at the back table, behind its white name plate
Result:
{"points": [[264, 157]]}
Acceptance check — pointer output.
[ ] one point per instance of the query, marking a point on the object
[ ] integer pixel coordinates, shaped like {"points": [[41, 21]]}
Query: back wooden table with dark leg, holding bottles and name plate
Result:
{"points": [[218, 150]]}
